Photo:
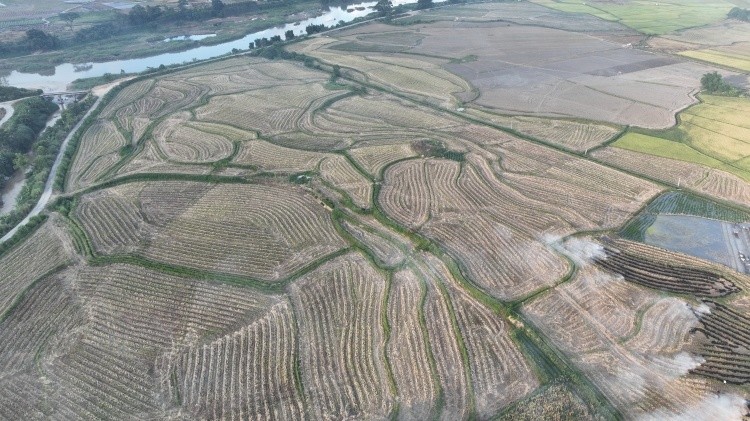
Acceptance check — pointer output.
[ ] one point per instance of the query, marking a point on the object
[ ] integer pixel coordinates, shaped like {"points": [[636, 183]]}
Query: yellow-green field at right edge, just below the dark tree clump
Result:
{"points": [[714, 133]]}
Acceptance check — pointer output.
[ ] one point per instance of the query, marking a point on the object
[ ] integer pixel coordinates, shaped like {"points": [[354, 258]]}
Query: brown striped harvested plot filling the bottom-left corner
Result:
{"points": [[96, 331]]}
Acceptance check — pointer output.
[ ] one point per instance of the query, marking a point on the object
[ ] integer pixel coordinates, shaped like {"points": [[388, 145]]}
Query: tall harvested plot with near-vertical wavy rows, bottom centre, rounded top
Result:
{"points": [[339, 307]]}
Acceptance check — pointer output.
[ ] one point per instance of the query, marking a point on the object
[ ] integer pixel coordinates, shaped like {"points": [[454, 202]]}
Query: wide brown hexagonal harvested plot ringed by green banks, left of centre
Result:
{"points": [[260, 231]]}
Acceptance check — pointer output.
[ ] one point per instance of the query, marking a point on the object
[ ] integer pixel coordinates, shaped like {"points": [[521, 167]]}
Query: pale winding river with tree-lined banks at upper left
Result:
{"points": [[65, 73]]}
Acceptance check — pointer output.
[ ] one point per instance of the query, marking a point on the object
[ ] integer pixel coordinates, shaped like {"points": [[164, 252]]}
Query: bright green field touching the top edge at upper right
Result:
{"points": [[649, 17]]}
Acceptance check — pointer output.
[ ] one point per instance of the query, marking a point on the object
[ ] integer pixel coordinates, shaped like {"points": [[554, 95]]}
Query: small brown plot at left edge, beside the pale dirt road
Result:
{"points": [[43, 252]]}
